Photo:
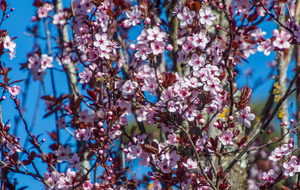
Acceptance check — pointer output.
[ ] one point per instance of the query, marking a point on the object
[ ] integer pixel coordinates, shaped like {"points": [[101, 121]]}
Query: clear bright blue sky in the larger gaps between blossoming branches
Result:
{"points": [[16, 26]]}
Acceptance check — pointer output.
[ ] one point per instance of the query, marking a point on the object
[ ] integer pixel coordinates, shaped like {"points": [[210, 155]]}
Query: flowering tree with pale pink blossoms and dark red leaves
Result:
{"points": [[175, 75]]}
